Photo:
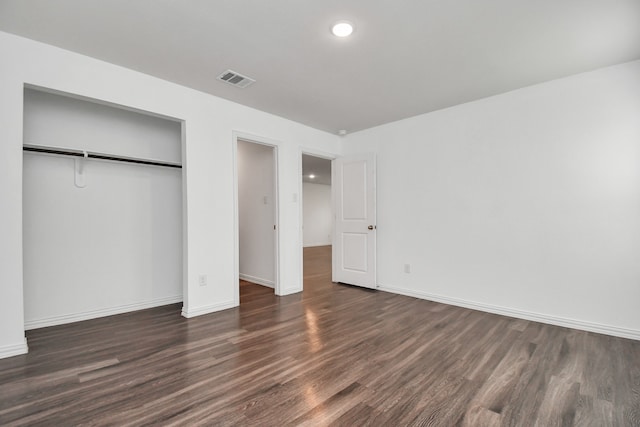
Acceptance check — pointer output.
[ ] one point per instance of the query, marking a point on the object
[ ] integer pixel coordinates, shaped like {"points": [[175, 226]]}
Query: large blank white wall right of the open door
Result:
{"points": [[526, 203]]}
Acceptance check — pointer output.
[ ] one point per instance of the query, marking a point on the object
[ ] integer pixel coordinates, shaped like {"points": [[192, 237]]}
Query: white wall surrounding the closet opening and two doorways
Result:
{"points": [[208, 178]]}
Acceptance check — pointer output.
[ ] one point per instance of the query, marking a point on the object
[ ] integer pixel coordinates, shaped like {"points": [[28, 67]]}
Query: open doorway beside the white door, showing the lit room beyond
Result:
{"points": [[317, 218]]}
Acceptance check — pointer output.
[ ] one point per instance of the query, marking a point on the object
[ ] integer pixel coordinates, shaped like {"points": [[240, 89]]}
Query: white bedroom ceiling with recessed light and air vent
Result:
{"points": [[405, 57]]}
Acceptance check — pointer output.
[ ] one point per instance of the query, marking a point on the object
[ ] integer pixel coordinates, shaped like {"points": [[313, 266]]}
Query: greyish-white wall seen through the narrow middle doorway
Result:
{"points": [[256, 213]]}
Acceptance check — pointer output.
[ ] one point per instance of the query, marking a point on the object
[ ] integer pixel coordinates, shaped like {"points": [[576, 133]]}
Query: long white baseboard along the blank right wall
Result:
{"points": [[520, 314]]}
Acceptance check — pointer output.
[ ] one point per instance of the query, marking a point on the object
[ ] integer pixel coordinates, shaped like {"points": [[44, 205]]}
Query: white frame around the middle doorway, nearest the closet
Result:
{"points": [[275, 145]]}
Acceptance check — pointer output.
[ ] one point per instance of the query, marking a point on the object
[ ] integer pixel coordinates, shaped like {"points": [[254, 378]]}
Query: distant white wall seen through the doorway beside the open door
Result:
{"points": [[317, 215]]}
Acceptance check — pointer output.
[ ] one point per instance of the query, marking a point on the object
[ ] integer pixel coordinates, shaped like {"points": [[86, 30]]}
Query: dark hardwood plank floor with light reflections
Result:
{"points": [[333, 355]]}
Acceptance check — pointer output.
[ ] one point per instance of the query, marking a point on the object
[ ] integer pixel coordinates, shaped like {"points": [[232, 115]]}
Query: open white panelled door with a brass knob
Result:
{"points": [[354, 247]]}
